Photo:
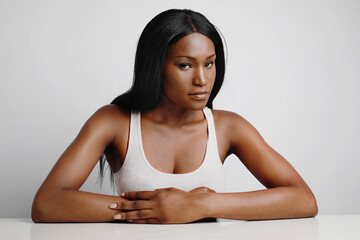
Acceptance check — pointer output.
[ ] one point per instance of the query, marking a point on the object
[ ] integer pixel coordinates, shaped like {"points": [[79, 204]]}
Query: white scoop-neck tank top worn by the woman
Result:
{"points": [[137, 174]]}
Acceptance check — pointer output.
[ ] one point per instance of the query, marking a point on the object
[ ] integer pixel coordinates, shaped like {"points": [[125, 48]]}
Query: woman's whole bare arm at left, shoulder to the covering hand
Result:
{"points": [[59, 199]]}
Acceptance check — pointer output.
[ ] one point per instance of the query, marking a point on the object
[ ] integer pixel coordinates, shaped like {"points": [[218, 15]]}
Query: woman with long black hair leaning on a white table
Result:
{"points": [[166, 147]]}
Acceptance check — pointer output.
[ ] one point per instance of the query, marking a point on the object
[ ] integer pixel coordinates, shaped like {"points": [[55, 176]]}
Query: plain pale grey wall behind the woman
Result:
{"points": [[293, 71]]}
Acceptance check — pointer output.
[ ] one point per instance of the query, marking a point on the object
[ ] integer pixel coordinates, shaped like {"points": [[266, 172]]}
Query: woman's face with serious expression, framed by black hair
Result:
{"points": [[189, 72]]}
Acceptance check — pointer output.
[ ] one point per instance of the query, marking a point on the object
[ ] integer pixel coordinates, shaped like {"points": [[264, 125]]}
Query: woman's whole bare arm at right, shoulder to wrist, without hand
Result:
{"points": [[286, 196]]}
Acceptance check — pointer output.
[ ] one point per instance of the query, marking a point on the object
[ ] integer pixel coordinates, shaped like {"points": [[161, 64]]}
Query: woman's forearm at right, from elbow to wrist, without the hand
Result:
{"points": [[274, 203]]}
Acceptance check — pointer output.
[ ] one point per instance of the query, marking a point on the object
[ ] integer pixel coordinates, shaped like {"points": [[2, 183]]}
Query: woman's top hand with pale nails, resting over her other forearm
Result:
{"points": [[168, 205]]}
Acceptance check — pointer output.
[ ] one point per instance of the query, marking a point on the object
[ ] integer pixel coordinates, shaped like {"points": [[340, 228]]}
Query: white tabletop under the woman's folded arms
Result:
{"points": [[342, 227]]}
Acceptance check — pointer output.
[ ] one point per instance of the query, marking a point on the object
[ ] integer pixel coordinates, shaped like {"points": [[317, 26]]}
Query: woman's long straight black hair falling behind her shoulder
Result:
{"points": [[161, 33]]}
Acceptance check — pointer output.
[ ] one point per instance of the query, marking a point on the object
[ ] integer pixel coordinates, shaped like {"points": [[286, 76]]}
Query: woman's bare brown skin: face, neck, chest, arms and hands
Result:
{"points": [[174, 139]]}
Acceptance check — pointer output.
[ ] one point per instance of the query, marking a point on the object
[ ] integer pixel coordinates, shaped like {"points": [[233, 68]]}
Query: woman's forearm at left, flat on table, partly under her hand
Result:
{"points": [[73, 206]]}
